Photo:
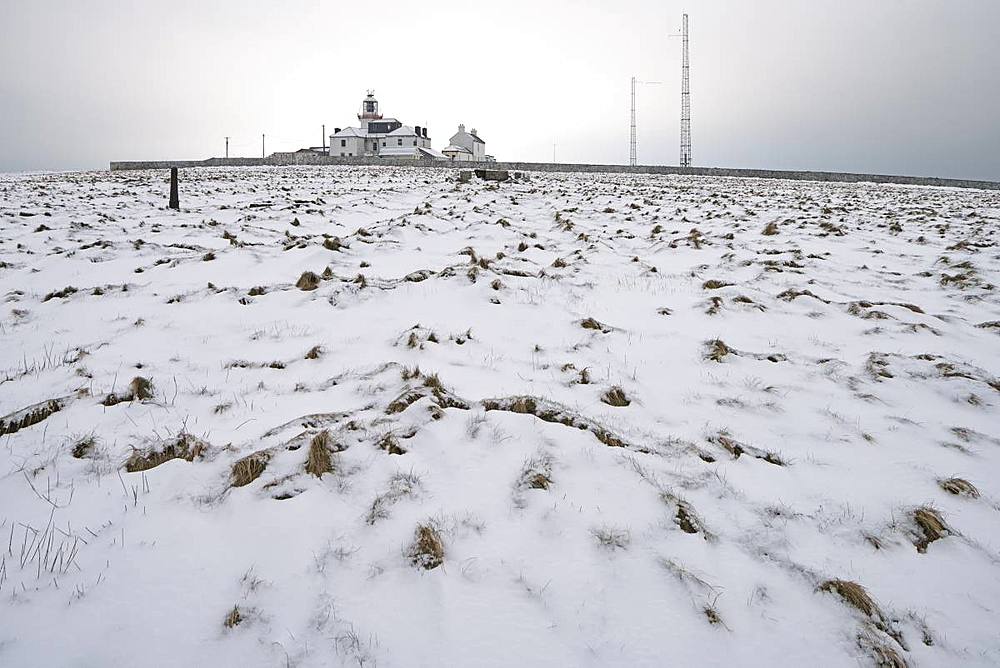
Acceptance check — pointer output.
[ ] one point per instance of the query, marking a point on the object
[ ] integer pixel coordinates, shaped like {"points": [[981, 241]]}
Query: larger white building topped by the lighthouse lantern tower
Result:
{"points": [[378, 136]]}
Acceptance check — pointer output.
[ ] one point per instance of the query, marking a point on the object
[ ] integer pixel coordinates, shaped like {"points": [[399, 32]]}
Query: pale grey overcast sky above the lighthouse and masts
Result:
{"points": [[886, 86]]}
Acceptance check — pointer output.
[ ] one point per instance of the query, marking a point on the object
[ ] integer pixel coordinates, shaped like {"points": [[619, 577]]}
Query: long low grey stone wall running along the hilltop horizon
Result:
{"points": [[287, 159]]}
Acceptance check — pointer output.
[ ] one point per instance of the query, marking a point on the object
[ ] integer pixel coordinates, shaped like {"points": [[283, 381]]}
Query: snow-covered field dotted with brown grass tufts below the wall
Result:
{"points": [[571, 420]]}
